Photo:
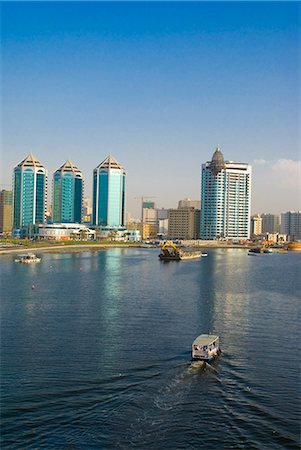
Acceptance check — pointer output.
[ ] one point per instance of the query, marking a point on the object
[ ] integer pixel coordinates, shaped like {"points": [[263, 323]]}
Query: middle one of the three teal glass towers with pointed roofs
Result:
{"points": [[67, 194]]}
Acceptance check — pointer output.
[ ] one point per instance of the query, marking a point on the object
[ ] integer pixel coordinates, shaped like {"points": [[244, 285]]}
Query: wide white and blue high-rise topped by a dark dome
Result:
{"points": [[225, 199]]}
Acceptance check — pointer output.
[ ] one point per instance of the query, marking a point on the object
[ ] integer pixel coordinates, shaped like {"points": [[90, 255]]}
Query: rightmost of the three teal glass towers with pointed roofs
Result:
{"points": [[109, 193]]}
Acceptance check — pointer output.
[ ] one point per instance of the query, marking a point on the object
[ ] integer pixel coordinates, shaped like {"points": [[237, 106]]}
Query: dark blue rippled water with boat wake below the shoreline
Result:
{"points": [[98, 354]]}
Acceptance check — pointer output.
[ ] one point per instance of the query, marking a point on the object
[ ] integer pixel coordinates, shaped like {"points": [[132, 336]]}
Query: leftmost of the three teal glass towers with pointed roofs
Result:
{"points": [[29, 193]]}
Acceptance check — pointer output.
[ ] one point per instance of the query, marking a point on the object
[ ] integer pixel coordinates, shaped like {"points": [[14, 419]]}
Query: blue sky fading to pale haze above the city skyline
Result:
{"points": [[159, 86]]}
